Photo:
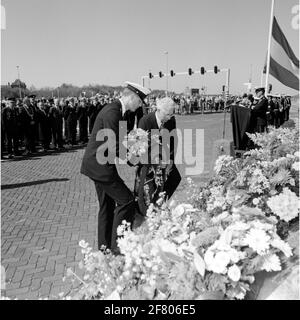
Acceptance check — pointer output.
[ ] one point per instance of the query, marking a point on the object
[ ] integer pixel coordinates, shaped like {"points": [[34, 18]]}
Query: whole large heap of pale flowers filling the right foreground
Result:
{"points": [[211, 247]]}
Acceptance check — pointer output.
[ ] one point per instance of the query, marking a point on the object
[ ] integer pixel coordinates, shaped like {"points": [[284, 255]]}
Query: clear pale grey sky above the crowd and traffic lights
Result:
{"points": [[109, 42]]}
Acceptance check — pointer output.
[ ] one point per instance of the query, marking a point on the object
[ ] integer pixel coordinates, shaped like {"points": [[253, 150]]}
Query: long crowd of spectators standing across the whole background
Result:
{"points": [[32, 124]]}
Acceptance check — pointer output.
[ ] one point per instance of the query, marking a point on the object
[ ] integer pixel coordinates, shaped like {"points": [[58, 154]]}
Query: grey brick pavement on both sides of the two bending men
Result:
{"points": [[47, 207]]}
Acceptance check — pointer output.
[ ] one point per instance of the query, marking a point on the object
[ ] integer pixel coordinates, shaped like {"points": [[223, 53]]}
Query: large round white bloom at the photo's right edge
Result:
{"points": [[285, 205]]}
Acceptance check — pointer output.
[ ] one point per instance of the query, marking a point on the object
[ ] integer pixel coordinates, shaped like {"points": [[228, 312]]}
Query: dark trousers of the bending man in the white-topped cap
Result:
{"points": [[116, 204]]}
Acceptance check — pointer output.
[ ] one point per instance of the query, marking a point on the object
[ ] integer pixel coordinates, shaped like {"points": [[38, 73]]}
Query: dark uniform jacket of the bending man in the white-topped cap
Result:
{"points": [[107, 118]]}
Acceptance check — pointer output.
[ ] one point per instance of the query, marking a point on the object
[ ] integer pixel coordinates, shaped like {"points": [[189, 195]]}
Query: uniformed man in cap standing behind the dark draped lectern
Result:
{"points": [[259, 111]]}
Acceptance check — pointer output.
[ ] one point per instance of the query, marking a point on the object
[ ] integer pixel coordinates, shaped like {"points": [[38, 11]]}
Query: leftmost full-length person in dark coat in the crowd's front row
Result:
{"points": [[10, 118]]}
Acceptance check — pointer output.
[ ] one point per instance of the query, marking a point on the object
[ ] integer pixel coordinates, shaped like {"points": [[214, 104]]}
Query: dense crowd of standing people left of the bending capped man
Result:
{"points": [[32, 124]]}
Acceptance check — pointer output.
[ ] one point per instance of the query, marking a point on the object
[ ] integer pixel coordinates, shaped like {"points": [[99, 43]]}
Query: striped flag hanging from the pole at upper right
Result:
{"points": [[284, 65]]}
